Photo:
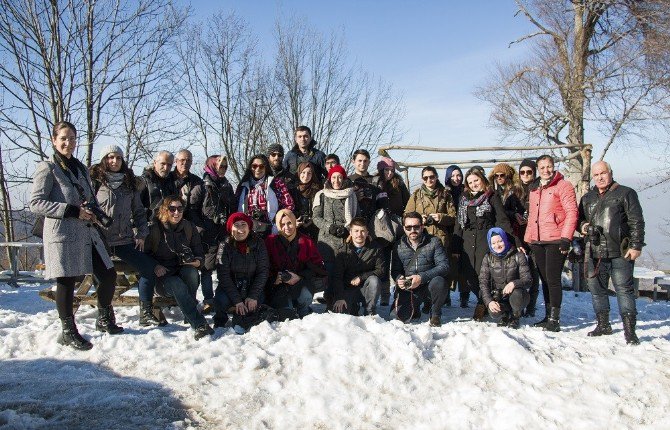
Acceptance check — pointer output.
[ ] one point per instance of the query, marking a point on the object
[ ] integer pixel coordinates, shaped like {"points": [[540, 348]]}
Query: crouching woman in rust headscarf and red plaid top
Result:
{"points": [[294, 263]]}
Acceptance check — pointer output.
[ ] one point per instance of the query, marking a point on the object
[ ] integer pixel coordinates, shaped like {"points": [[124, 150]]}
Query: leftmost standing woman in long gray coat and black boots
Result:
{"points": [[72, 246]]}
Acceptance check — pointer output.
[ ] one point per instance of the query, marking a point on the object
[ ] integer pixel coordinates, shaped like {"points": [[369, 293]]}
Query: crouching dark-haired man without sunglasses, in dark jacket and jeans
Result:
{"points": [[359, 269]]}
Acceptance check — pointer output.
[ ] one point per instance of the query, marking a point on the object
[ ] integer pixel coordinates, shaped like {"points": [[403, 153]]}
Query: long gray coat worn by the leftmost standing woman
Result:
{"points": [[68, 242]]}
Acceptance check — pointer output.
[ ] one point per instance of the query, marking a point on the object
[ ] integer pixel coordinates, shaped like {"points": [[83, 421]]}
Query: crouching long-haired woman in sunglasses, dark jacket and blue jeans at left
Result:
{"points": [[175, 244]]}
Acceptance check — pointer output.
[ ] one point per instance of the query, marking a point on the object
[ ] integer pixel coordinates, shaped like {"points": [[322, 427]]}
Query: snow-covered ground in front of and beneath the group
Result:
{"points": [[334, 371]]}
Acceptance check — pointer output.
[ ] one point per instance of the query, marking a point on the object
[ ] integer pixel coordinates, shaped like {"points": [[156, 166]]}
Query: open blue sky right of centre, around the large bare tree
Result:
{"points": [[436, 53]]}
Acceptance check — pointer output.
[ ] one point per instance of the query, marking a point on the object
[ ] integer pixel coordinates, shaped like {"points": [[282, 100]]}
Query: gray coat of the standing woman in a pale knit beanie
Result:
{"points": [[125, 207]]}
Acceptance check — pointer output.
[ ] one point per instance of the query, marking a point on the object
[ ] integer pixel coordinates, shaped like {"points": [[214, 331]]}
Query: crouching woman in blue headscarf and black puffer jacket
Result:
{"points": [[504, 279]]}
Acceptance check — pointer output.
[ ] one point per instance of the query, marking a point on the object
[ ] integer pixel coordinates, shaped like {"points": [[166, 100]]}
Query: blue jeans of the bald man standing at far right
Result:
{"points": [[620, 271]]}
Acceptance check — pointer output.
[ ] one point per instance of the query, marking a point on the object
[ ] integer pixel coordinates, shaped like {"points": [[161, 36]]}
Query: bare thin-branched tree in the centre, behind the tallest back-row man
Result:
{"points": [[345, 107]]}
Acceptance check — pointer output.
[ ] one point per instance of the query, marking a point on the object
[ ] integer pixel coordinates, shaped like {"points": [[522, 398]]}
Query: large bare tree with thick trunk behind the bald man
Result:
{"points": [[588, 65]]}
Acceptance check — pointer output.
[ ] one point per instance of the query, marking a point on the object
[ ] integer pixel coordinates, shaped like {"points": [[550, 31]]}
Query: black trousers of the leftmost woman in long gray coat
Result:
{"points": [[105, 277]]}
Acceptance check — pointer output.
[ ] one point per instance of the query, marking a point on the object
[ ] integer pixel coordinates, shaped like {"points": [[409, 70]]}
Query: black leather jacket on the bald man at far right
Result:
{"points": [[618, 214]]}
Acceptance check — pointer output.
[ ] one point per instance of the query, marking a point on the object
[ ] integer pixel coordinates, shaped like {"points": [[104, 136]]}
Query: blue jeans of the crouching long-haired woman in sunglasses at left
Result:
{"points": [[183, 287]]}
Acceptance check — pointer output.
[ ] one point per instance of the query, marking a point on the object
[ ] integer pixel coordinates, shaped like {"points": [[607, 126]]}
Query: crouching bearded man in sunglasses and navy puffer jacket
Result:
{"points": [[420, 267]]}
